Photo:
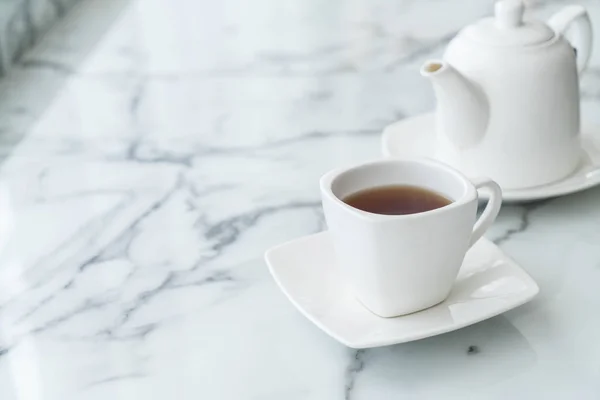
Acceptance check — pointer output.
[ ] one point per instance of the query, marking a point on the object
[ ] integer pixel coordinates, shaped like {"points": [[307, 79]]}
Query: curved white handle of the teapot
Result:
{"points": [[582, 29]]}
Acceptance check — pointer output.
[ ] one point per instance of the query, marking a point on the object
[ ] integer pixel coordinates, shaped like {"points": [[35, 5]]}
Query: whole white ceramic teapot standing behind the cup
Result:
{"points": [[508, 96]]}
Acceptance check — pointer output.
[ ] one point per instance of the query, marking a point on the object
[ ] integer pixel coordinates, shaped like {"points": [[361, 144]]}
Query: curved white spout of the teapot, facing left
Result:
{"points": [[462, 108]]}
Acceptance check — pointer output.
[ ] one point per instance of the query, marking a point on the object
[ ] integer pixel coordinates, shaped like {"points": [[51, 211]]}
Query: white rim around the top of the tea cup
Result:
{"points": [[327, 180]]}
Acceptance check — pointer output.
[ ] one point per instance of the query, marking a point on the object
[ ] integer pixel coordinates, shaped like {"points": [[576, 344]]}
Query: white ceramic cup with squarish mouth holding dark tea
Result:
{"points": [[400, 264]]}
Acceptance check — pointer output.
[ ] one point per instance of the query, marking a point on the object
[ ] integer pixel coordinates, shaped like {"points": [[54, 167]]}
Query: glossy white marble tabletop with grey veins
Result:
{"points": [[152, 150]]}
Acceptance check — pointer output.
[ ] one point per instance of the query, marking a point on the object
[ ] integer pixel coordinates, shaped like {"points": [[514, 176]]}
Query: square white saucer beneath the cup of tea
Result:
{"points": [[489, 283]]}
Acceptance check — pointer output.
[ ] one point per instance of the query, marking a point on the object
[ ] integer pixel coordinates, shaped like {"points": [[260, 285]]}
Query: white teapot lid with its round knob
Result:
{"points": [[507, 27]]}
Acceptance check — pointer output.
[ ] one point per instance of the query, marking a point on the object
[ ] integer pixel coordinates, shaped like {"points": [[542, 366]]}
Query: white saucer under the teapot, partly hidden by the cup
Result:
{"points": [[415, 137]]}
